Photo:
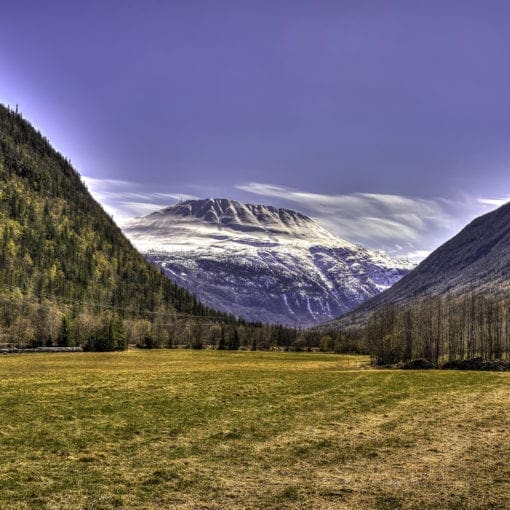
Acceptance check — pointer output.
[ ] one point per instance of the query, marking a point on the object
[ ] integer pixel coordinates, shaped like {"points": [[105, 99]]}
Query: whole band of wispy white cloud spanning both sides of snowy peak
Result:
{"points": [[401, 225]]}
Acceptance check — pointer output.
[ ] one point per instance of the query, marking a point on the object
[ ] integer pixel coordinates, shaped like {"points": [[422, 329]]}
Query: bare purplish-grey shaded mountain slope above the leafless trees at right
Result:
{"points": [[477, 259]]}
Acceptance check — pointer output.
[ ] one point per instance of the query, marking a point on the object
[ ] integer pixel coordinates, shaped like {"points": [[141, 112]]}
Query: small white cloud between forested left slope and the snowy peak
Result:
{"points": [[125, 200]]}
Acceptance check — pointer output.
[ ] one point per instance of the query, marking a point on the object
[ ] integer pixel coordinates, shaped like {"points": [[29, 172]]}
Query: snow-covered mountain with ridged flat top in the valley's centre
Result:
{"points": [[260, 262]]}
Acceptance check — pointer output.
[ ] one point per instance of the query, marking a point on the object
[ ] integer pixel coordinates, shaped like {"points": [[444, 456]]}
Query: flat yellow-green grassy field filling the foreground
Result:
{"points": [[197, 429]]}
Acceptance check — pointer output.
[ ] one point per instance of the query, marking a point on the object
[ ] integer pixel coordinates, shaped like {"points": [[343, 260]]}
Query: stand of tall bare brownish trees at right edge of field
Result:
{"points": [[440, 329]]}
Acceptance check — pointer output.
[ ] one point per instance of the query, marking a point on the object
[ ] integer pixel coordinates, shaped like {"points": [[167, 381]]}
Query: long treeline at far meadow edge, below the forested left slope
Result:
{"points": [[27, 322]]}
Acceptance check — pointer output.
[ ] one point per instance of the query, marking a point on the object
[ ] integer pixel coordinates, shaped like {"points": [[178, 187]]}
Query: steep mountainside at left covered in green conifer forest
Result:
{"points": [[58, 244]]}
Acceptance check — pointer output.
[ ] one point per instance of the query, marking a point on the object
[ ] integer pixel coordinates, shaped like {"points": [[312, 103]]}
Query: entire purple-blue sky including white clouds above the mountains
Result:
{"points": [[389, 122]]}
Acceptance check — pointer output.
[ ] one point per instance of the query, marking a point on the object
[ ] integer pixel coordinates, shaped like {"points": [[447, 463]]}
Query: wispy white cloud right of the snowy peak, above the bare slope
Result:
{"points": [[400, 225]]}
